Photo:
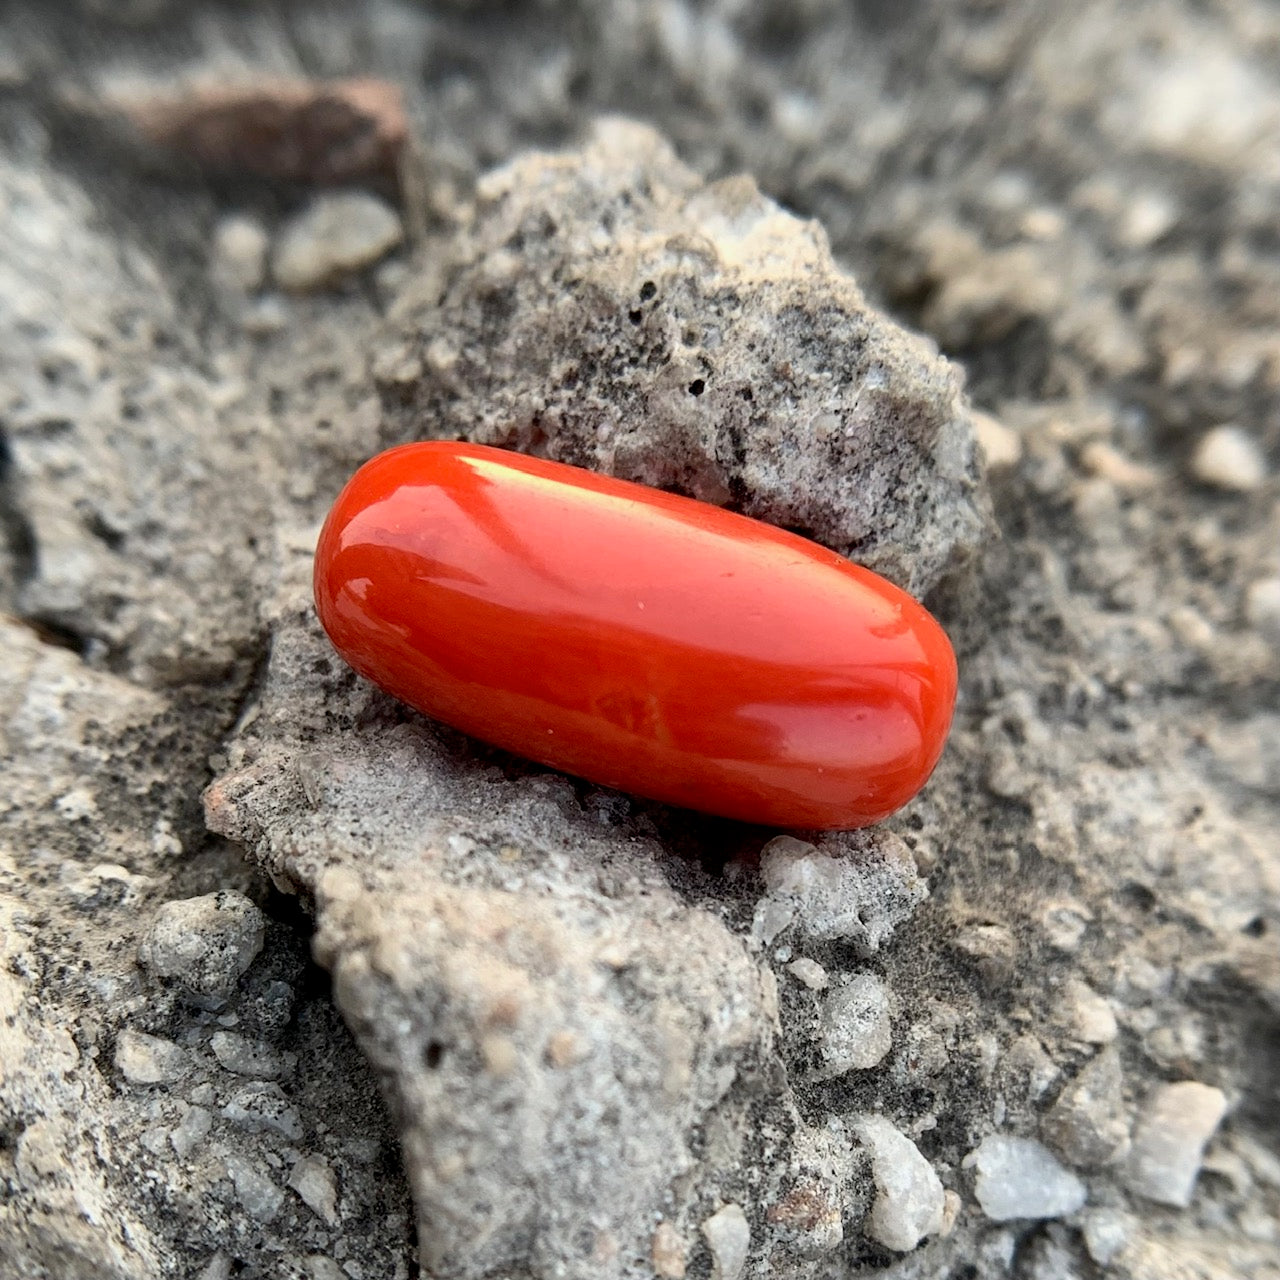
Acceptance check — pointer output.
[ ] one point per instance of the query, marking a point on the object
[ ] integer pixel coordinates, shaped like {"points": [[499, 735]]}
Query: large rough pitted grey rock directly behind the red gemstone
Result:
{"points": [[708, 344]]}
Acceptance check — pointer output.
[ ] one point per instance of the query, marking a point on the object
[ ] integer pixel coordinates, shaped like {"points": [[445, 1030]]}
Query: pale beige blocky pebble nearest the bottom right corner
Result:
{"points": [[1171, 1139]]}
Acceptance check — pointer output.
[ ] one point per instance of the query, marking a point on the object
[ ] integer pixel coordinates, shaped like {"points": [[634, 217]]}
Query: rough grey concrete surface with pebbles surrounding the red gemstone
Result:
{"points": [[299, 984]]}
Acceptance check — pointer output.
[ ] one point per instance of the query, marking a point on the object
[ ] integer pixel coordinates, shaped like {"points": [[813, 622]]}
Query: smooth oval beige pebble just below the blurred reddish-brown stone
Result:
{"points": [[336, 236]]}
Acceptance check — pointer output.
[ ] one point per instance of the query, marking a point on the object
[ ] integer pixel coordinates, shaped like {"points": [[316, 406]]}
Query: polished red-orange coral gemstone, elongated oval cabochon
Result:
{"points": [[636, 638]]}
